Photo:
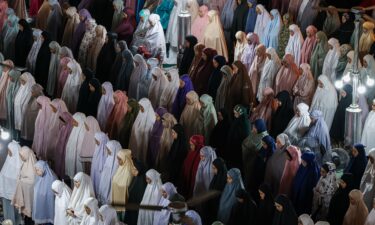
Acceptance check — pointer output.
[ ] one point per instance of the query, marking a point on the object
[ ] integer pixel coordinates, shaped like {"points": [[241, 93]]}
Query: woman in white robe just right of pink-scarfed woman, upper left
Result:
{"points": [[71, 89]]}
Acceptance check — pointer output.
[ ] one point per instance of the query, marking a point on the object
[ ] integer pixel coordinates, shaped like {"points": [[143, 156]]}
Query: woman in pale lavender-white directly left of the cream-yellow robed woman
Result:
{"points": [[109, 169]]}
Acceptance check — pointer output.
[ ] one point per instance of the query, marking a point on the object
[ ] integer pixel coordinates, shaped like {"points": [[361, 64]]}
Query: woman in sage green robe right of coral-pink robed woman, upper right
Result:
{"points": [[319, 54]]}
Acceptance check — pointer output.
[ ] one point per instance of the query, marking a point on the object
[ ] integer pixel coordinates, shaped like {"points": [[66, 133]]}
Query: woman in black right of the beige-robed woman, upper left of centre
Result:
{"points": [[106, 58]]}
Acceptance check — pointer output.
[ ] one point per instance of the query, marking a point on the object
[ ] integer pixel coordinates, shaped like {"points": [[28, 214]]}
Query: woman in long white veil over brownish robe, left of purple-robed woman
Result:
{"points": [[141, 130]]}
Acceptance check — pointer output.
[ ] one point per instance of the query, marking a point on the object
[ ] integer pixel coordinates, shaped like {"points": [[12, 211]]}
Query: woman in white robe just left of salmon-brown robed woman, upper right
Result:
{"points": [[270, 69]]}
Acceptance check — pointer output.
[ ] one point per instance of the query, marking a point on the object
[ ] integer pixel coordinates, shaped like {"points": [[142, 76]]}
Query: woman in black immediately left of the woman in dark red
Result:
{"points": [[177, 154]]}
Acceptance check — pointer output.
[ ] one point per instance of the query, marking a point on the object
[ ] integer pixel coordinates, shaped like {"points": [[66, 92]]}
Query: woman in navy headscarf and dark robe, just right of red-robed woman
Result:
{"points": [[304, 182]]}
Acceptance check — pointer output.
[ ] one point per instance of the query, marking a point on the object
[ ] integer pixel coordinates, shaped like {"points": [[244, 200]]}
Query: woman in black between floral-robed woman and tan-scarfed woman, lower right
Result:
{"points": [[340, 201]]}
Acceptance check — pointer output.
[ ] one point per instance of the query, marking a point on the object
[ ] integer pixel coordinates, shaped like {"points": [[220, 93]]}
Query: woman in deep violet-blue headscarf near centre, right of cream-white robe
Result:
{"points": [[180, 100]]}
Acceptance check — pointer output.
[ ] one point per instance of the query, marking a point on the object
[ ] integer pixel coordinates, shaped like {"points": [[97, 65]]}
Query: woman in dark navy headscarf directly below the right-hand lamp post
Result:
{"points": [[357, 165]]}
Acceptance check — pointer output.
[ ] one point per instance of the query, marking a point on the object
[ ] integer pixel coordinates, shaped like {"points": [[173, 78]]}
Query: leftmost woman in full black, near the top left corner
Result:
{"points": [[23, 43]]}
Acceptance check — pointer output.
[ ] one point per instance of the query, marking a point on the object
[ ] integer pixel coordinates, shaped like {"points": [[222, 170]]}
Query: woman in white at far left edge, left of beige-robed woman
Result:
{"points": [[10, 171]]}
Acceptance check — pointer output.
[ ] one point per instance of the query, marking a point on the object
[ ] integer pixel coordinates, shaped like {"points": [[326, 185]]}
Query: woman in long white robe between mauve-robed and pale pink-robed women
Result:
{"points": [[73, 146]]}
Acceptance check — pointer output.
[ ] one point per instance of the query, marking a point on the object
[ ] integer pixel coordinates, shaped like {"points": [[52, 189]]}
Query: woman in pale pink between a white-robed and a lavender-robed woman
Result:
{"points": [[88, 144]]}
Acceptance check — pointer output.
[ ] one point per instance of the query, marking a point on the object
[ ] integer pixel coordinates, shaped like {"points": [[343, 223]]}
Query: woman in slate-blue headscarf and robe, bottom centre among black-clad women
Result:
{"points": [[228, 197]]}
